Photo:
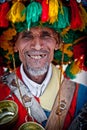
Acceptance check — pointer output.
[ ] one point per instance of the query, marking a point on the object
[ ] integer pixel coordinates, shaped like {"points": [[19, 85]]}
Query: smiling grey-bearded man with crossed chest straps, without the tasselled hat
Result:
{"points": [[36, 83]]}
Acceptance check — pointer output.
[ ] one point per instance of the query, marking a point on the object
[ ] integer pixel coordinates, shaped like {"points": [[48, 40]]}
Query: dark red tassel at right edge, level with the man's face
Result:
{"points": [[80, 51]]}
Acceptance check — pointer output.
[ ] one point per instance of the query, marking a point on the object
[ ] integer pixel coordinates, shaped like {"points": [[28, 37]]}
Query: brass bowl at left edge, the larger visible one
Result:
{"points": [[8, 114]]}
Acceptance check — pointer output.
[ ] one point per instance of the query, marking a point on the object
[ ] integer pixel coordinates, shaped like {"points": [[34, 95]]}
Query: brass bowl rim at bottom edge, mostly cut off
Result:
{"points": [[31, 126]]}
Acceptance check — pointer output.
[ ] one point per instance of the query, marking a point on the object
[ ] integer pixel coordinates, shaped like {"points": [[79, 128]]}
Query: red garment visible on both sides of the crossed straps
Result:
{"points": [[5, 91]]}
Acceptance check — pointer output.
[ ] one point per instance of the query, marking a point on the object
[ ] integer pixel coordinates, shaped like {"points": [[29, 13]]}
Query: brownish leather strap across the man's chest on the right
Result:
{"points": [[55, 122]]}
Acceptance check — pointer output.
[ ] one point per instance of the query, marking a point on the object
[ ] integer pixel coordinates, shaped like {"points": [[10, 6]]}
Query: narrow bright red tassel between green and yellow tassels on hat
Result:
{"points": [[45, 9]]}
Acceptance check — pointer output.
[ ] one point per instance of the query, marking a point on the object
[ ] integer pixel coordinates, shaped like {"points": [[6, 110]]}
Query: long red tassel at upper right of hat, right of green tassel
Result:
{"points": [[76, 21]]}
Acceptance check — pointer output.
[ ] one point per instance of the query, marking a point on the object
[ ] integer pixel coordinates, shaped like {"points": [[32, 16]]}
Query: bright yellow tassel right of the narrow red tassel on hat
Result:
{"points": [[53, 10]]}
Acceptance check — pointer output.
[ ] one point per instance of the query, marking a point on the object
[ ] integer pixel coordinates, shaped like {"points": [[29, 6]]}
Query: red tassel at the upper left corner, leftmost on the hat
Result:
{"points": [[4, 8]]}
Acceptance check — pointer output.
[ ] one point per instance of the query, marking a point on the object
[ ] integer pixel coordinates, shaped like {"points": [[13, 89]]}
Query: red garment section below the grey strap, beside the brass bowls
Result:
{"points": [[4, 92]]}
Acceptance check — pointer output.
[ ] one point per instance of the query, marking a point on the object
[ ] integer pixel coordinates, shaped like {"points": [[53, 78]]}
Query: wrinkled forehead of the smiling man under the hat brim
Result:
{"points": [[39, 31]]}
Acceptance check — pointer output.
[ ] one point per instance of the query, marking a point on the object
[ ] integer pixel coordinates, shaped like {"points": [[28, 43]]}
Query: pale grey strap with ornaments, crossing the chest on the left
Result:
{"points": [[34, 108]]}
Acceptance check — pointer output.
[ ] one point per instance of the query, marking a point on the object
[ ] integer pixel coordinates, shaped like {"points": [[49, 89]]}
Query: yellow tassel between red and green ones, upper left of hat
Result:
{"points": [[15, 13]]}
